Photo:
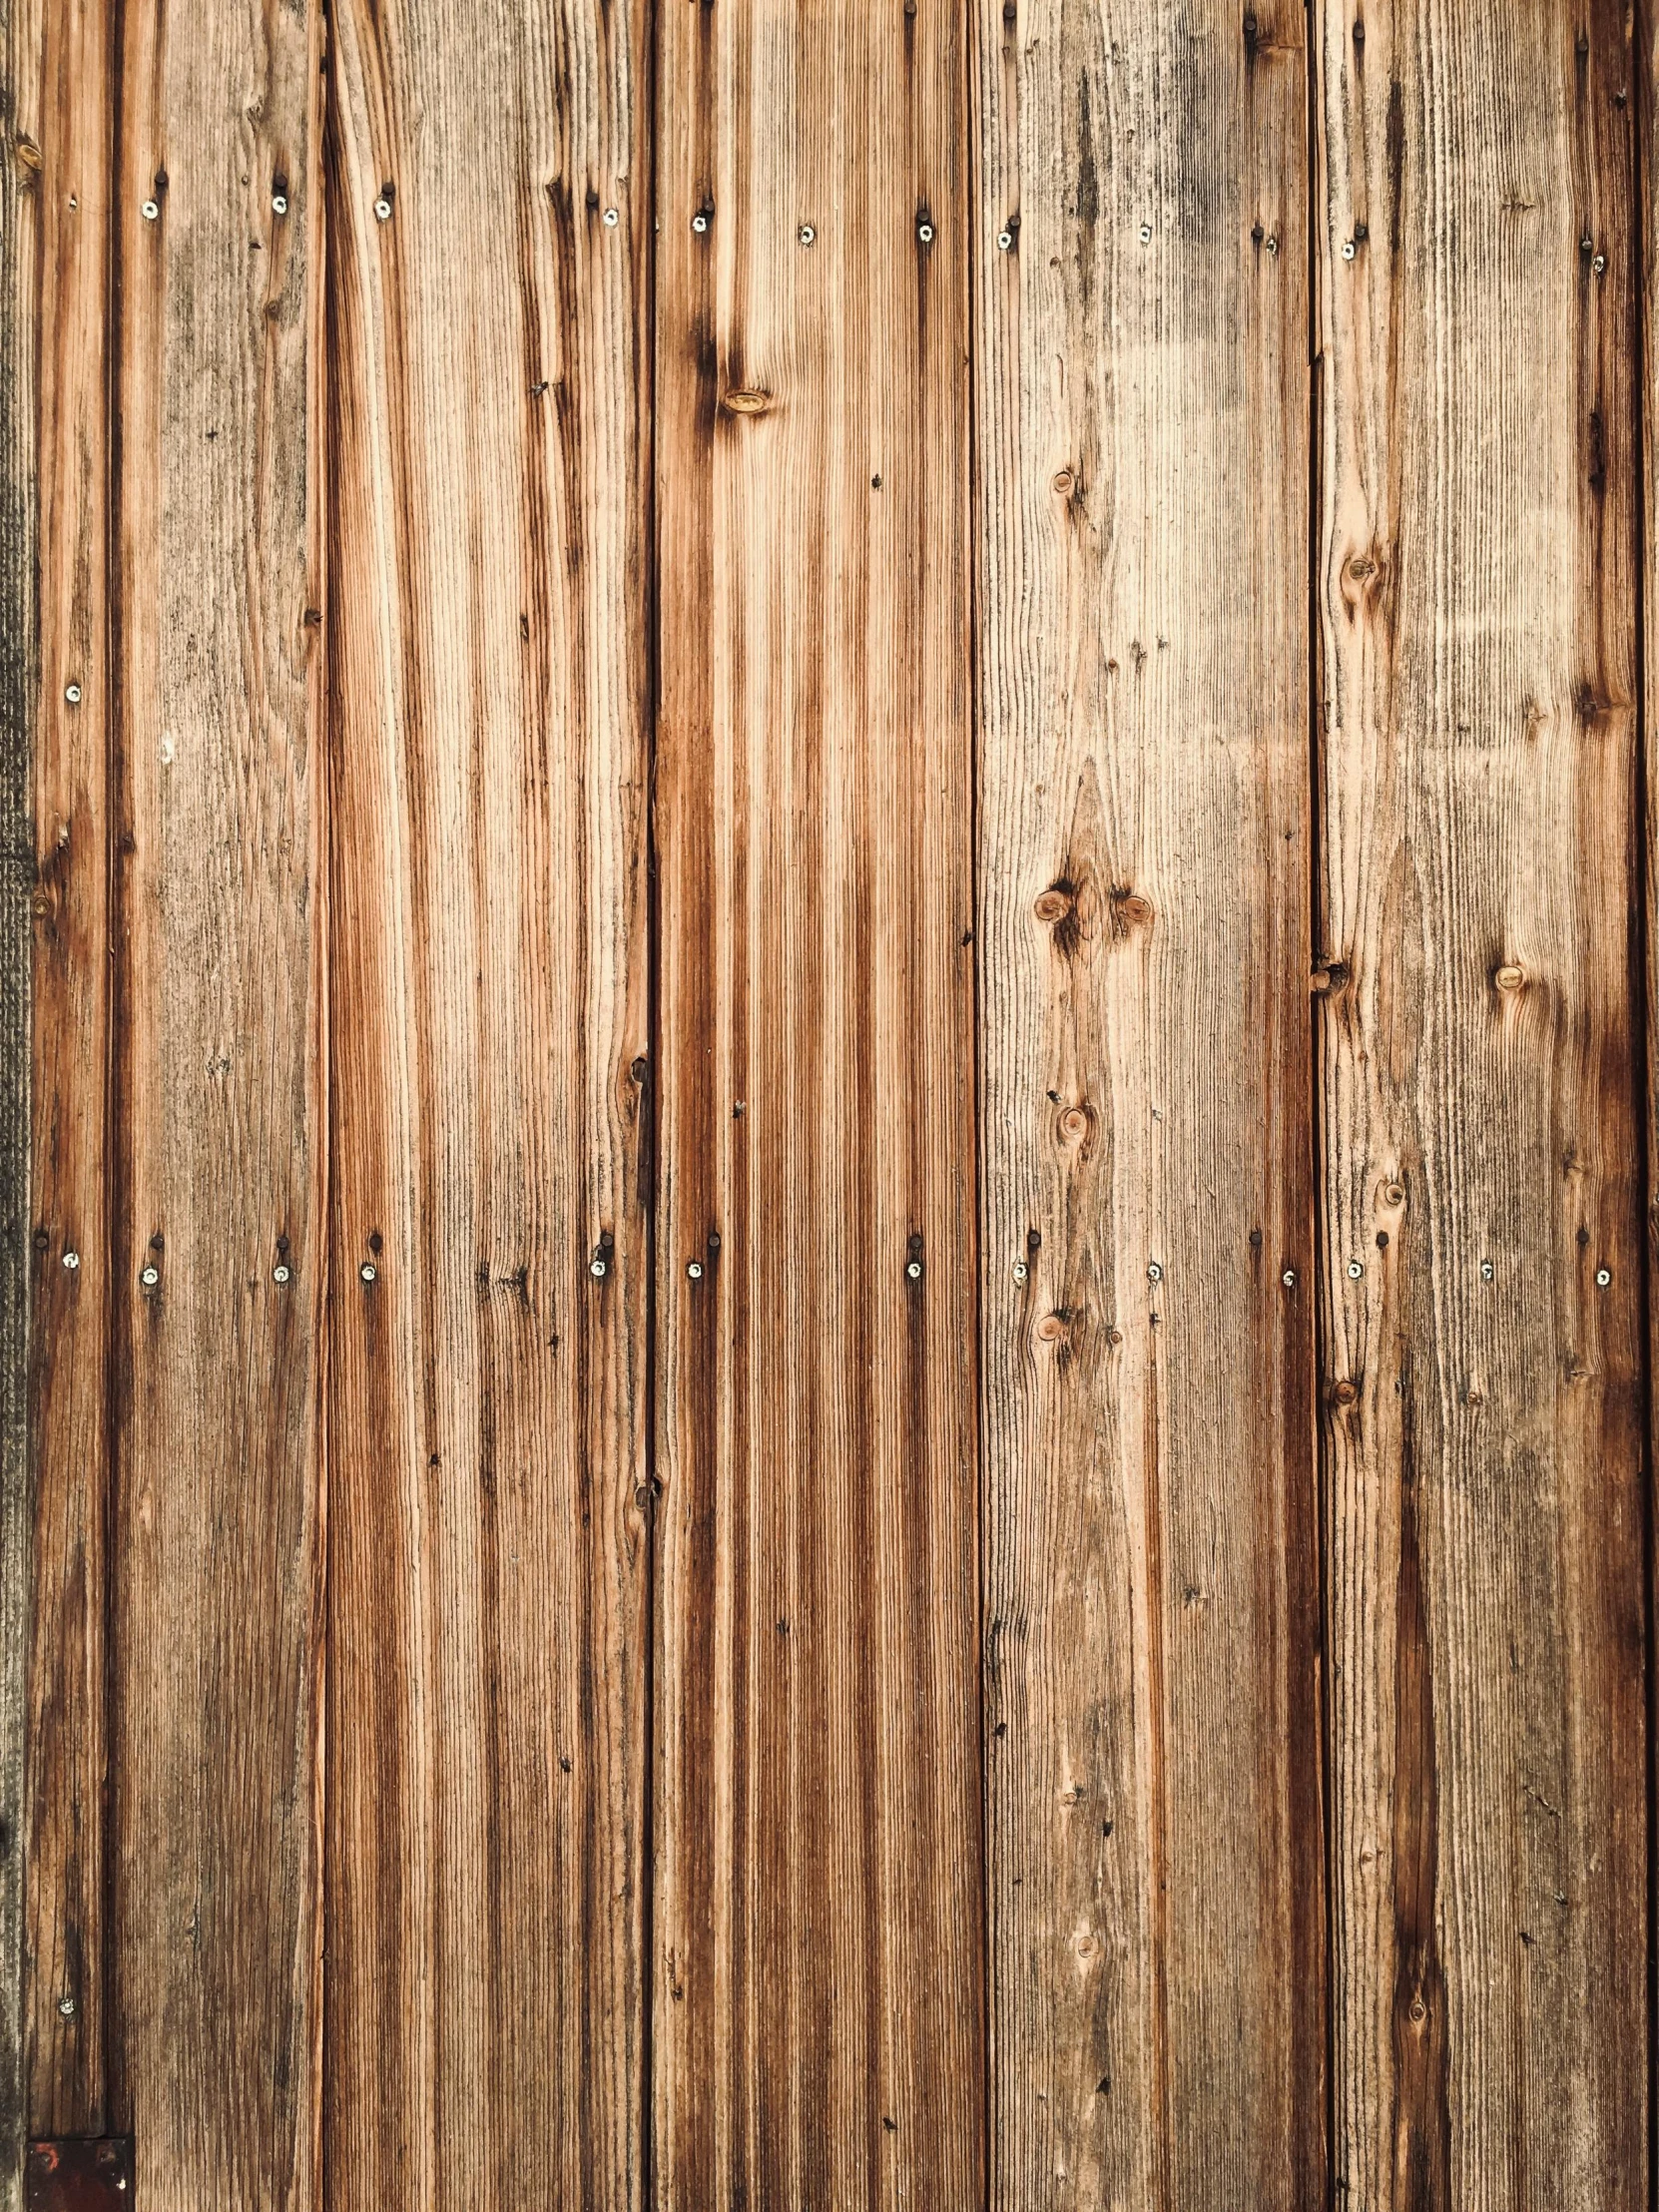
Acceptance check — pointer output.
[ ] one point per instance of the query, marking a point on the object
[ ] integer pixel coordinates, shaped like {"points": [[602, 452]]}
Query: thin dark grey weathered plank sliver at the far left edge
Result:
{"points": [[21, 271]]}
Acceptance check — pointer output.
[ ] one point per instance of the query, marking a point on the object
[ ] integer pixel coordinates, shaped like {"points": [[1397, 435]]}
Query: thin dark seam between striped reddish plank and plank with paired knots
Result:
{"points": [[972, 23]]}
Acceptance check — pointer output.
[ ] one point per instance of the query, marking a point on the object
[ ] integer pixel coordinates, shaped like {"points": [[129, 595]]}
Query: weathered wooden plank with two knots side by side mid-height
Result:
{"points": [[1145, 848]]}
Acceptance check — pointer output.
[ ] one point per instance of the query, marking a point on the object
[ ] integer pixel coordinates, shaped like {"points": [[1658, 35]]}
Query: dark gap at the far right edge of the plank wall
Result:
{"points": [[1640, 1012]]}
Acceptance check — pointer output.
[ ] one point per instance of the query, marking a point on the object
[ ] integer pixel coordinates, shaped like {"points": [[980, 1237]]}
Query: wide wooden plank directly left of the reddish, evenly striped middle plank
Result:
{"points": [[488, 791]]}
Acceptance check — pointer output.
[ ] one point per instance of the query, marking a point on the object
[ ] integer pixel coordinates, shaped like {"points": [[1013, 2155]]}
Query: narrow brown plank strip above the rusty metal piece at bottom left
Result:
{"points": [[67, 1945]]}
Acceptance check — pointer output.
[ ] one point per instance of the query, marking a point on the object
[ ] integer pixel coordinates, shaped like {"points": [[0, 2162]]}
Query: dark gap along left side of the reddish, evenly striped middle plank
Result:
{"points": [[649, 136]]}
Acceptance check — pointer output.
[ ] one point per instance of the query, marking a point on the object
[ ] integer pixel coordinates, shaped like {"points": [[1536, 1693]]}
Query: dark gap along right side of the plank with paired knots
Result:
{"points": [[1324, 1749]]}
